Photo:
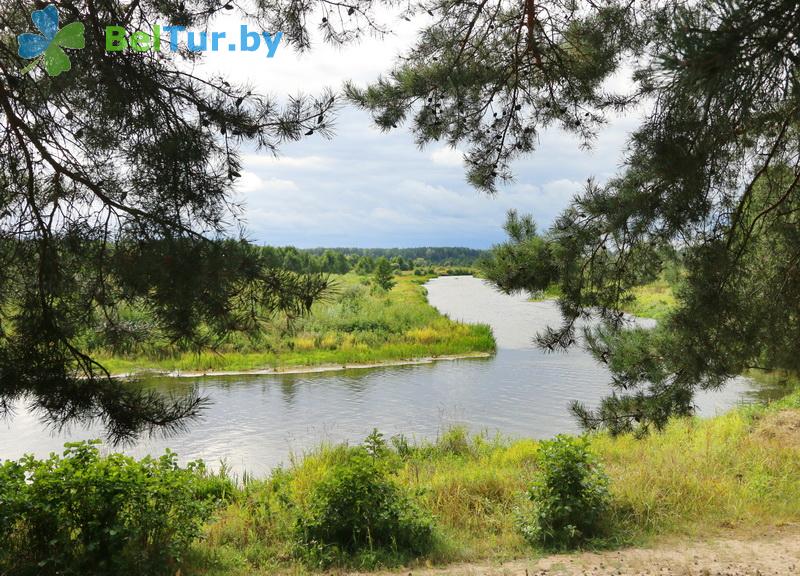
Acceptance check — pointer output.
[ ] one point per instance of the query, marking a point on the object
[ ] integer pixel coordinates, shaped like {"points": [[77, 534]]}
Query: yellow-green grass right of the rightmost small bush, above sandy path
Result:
{"points": [[699, 476]]}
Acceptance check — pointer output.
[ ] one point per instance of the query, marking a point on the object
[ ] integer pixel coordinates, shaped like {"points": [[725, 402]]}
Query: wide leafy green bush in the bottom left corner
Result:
{"points": [[89, 514]]}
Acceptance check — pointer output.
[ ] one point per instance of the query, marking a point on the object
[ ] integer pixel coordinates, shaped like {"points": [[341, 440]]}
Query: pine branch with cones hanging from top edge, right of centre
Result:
{"points": [[491, 78]]}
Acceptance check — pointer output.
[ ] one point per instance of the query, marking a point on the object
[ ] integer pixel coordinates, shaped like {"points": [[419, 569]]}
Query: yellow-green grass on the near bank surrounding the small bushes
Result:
{"points": [[698, 477]]}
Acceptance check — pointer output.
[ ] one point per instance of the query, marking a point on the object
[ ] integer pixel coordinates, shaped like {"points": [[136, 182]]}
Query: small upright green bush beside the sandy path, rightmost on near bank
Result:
{"points": [[569, 496]]}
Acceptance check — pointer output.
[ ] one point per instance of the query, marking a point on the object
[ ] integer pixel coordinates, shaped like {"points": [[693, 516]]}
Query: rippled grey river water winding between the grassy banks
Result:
{"points": [[256, 422]]}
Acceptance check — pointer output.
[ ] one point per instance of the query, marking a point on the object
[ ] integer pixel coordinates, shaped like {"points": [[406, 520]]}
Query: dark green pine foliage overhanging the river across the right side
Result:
{"points": [[712, 171]]}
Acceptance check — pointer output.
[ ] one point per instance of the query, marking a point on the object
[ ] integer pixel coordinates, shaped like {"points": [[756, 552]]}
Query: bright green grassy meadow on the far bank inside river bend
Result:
{"points": [[356, 324]]}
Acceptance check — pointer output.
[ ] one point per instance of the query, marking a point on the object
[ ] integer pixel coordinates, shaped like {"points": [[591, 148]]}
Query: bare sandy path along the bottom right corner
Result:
{"points": [[773, 552]]}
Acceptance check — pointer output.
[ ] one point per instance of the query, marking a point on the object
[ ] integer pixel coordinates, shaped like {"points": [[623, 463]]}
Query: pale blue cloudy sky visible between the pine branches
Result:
{"points": [[370, 189]]}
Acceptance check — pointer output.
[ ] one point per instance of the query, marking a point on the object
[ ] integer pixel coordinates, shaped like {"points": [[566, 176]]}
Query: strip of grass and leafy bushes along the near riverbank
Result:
{"points": [[395, 502]]}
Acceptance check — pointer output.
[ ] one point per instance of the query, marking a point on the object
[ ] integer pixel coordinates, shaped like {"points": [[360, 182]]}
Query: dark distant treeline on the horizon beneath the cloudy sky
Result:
{"points": [[362, 260]]}
